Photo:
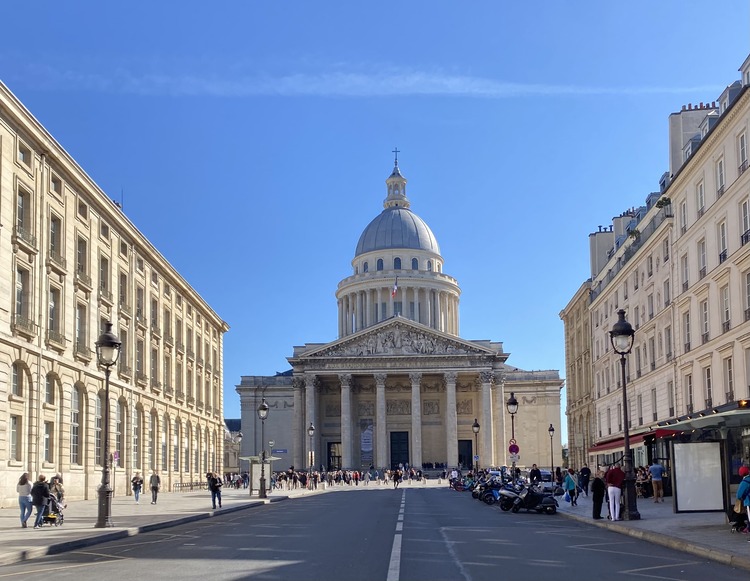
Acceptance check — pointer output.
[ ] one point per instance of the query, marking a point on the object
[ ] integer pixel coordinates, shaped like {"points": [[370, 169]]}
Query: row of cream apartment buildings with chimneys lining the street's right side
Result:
{"points": [[680, 268]]}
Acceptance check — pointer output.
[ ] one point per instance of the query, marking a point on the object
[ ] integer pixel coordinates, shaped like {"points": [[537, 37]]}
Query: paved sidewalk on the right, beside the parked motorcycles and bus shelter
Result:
{"points": [[705, 534]]}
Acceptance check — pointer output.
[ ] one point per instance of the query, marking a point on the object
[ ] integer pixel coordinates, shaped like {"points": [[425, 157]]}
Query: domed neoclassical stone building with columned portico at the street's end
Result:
{"points": [[400, 385]]}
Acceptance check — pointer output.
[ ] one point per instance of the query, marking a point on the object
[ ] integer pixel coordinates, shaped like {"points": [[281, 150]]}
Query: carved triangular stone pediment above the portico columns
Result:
{"points": [[398, 337]]}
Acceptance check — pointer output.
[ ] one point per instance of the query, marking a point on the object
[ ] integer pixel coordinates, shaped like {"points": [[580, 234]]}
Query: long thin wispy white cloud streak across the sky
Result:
{"points": [[393, 83]]}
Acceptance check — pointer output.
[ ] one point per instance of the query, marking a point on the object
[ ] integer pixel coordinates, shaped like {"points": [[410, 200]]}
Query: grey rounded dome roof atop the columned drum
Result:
{"points": [[397, 227]]}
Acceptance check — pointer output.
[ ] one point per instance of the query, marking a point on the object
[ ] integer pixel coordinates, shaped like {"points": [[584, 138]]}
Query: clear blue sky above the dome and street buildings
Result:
{"points": [[522, 128]]}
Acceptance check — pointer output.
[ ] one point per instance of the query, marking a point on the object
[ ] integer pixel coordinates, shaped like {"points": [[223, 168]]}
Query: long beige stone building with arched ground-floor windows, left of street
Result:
{"points": [[70, 261]]}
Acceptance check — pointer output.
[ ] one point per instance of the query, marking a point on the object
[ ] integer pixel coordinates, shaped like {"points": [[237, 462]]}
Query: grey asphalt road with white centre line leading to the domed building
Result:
{"points": [[383, 534]]}
